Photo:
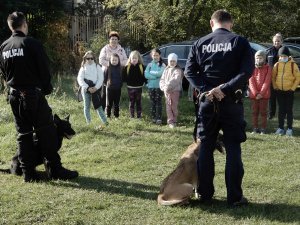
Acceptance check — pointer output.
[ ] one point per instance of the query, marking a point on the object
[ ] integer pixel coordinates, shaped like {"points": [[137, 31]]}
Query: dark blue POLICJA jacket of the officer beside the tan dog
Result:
{"points": [[220, 57]]}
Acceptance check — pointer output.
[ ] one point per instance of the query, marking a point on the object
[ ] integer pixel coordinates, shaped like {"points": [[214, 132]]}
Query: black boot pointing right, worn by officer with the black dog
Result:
{"points": [[60, 173]]}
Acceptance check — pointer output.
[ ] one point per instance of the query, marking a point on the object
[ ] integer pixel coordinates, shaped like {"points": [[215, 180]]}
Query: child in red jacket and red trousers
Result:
{"points": [[259, 91]]}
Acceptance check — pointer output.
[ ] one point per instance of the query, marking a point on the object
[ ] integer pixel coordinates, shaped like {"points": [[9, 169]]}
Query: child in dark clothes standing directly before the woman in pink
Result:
{"points": [[113, 83]]}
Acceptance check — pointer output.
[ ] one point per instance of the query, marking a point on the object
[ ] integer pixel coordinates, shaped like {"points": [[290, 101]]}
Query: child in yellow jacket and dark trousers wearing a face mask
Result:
{"points": [[285, 79]]}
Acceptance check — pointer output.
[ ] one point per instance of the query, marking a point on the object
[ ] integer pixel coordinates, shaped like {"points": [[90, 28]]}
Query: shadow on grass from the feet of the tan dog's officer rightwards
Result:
{"points": [[279, 212]]}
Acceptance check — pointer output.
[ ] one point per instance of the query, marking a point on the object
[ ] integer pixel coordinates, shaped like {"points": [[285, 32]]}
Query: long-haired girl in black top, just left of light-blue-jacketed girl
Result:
{"points": [[133, 75]]}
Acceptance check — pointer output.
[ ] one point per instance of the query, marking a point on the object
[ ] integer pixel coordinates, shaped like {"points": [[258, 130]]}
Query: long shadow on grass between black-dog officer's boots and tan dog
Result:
{"points": [[113, 186]]}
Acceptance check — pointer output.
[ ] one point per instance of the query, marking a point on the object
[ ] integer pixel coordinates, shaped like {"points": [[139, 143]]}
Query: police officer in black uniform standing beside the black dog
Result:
{"points": [[23, 63]]}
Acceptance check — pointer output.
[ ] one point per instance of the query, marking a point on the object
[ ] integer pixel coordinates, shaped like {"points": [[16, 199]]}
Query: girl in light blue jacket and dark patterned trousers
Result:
{"points": [[153, 74]]}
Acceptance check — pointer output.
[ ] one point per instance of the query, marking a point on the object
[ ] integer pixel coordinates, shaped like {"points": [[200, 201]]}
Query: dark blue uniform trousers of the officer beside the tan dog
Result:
{"points": [[227, 116]]}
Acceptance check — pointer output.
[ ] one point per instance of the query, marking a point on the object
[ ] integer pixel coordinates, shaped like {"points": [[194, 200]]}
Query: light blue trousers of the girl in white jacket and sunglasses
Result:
{"points": [[87, 98]]}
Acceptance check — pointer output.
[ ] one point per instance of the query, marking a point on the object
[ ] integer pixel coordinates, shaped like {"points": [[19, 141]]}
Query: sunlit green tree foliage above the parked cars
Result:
{"points": [[176, 20]]}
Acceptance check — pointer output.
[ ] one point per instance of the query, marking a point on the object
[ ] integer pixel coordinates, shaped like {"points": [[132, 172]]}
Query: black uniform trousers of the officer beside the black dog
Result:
{"points": [[32, 114]]}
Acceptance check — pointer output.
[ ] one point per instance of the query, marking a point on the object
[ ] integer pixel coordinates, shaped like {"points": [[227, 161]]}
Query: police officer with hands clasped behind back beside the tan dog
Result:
{"points": [[219, 65]]}
